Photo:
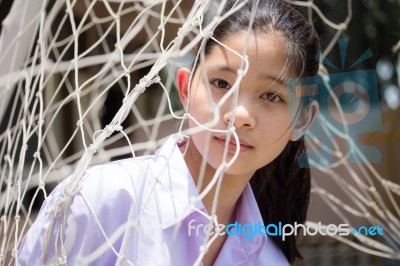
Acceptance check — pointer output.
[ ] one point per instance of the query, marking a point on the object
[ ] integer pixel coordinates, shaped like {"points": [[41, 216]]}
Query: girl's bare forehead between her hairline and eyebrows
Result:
{"points": [[265, 52]]}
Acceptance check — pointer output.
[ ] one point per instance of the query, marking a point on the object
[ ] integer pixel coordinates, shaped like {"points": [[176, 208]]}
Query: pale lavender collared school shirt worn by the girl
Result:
{"points": [[126, 213]]}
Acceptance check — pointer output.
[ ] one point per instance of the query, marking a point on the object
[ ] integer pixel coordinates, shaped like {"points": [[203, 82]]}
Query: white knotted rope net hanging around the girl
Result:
{"points": [[61, 60]]}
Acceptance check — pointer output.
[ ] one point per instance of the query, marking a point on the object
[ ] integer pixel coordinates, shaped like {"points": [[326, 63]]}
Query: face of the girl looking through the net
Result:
{"points": [[261, 118]]}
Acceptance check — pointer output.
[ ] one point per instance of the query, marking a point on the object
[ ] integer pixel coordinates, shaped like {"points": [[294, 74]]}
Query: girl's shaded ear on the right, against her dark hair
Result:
{"points": [[305, 121]]}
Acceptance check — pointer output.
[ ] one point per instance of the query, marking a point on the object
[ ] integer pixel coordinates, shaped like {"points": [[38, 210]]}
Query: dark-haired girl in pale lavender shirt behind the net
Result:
{"points": [[143, 211]]}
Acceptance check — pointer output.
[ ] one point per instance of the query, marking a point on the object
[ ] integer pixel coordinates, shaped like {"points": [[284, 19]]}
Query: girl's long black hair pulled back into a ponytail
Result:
{"points": [[282, 188]]}
